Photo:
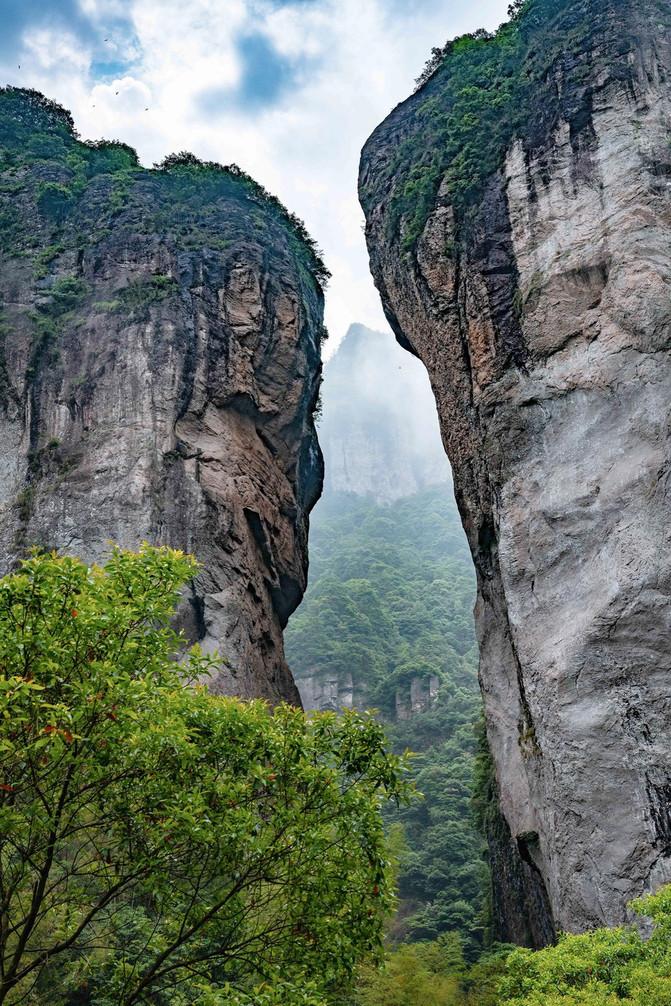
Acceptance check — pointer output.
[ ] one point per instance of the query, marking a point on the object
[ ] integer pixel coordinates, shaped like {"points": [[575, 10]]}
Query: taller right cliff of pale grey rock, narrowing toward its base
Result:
{"points": [[530, 266]]}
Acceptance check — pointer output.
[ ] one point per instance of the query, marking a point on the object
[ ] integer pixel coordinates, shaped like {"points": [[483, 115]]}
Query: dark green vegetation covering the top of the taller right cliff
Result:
{"points": [[474, 98]]}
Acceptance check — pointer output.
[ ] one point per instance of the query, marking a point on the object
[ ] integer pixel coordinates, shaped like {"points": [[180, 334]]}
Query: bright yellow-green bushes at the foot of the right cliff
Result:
{"points": [[617, 967]]}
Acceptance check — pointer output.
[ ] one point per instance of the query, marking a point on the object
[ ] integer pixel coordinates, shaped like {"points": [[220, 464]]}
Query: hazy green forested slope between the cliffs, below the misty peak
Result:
{"points": [[391, 602]]}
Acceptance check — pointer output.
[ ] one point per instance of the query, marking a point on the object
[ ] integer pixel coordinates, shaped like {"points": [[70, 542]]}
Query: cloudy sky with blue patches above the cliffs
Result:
{"points": [[289, 90]]}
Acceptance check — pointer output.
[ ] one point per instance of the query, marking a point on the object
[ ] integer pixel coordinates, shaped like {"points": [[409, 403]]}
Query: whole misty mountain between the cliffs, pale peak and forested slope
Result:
{"points": [[387, 622]]}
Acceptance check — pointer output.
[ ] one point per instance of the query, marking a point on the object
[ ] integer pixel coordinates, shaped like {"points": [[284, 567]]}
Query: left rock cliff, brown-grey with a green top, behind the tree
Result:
{"points": [[160, 367]]}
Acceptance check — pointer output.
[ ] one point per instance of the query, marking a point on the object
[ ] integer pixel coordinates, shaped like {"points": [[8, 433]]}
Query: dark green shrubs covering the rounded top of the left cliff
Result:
{"points": [[184, 196]]}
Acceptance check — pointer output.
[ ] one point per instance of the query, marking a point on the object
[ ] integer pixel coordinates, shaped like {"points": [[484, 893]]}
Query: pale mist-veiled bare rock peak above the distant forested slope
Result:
{"points": [[379, 431]]}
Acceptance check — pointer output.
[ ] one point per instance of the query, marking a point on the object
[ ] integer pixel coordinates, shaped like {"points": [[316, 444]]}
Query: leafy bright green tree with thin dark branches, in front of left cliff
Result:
{"points": [[159, 845]]}
